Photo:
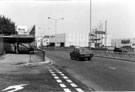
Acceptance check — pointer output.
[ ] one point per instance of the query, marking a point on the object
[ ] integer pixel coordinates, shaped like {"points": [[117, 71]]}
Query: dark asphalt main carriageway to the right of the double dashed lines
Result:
{"points": [[101, 74]]}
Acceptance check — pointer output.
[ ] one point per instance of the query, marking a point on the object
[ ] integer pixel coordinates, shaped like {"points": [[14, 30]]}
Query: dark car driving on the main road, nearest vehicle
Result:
{"points": [[81, 53]]}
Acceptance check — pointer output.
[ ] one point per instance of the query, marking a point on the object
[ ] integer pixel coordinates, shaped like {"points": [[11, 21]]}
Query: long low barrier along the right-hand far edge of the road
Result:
{"points": [[115, 55]]}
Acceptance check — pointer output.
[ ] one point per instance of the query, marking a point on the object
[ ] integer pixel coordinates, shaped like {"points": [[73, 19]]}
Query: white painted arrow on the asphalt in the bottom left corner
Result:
{"points": [[14, 88]]}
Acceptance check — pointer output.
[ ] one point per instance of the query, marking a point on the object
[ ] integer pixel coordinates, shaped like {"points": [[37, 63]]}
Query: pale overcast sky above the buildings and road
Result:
{"points": [[120, 15]]}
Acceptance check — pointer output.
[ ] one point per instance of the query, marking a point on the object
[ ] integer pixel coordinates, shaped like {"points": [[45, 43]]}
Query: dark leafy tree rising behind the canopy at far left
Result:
{"points": [[7, 27]]}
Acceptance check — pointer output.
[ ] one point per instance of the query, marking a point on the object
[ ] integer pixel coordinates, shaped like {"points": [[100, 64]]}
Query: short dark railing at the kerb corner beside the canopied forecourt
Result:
{"points": [[37, 56]]}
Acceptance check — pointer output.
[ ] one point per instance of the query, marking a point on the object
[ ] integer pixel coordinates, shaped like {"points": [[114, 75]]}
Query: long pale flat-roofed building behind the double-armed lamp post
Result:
{"points": [[70, 39]]}
